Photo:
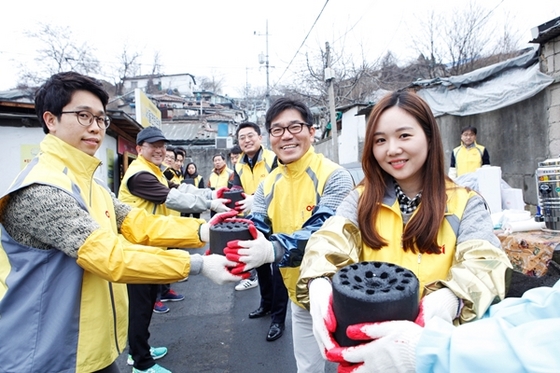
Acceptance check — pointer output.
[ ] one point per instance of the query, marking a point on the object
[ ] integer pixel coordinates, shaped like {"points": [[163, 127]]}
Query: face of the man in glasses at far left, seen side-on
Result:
{"points": [[68, 129]]}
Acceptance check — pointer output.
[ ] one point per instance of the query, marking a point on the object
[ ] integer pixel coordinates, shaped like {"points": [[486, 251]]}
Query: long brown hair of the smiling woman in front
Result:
{"points": [[421, 231]]}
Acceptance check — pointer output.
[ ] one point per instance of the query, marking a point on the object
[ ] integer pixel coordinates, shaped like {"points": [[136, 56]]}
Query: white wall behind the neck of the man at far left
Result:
{"points": [[11, 140]]}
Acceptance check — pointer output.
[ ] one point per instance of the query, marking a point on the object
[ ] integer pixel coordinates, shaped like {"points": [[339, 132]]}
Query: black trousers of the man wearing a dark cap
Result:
{"points": [[141, 299]]}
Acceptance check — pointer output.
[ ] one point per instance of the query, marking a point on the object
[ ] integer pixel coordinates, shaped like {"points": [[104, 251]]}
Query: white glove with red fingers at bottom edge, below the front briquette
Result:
{"points": [[392, 348]]}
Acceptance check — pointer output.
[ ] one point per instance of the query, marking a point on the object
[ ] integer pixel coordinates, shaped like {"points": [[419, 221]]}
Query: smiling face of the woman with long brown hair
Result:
{"points": [[401, 148]]}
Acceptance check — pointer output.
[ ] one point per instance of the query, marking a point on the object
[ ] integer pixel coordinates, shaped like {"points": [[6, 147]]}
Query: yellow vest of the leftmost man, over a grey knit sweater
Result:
{"points": [[103, 313]]}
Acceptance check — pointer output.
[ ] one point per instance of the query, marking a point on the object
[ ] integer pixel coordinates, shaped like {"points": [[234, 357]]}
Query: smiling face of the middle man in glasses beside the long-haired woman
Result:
{"points": [[290, 147]]}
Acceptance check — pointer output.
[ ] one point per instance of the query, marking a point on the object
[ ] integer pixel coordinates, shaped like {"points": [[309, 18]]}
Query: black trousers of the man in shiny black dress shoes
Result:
{"points": [[274, 296]]}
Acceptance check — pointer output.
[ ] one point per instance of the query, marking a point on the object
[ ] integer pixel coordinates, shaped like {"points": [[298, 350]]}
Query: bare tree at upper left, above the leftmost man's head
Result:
{"points": [[60, 52]]}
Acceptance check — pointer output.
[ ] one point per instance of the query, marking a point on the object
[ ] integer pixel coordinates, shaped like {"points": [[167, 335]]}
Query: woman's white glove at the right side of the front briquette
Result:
{"points": [[442, 303]]}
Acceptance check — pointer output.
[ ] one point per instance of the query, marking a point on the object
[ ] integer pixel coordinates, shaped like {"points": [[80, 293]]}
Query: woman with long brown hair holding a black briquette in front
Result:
{"points": [[406, 211]]}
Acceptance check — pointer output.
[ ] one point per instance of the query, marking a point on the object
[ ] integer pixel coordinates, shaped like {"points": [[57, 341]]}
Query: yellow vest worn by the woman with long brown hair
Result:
{"points": [[427, 267]]}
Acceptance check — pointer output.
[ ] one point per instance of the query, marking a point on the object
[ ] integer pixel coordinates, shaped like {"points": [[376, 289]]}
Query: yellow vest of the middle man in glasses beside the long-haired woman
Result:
{"points": [[292, 191]]}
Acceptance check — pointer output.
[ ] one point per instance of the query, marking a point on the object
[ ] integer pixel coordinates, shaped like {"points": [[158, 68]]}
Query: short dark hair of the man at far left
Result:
{"points": [[57, 92]]}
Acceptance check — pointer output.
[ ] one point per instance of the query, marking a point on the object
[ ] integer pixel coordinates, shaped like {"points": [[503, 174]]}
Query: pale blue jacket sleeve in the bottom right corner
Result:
{"points": [[515, 335]]}
